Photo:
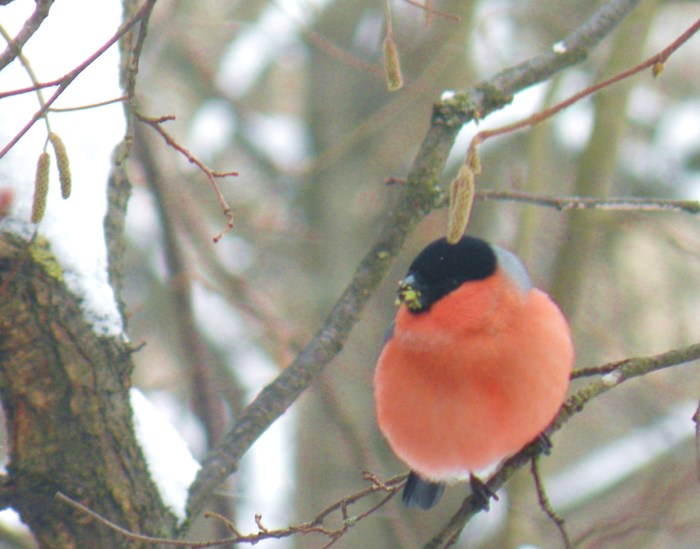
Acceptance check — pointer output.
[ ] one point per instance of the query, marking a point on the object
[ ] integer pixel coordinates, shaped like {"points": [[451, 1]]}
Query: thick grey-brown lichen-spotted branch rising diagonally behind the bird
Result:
{"points": [[417, 199]]}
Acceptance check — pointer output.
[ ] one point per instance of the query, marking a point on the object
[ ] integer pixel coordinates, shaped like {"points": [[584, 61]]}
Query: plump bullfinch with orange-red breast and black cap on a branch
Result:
{"points": [[474, 367]]}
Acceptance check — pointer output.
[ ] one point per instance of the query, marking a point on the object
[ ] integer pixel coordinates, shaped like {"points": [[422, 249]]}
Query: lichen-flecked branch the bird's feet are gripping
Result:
{"points": [[624, 371]]}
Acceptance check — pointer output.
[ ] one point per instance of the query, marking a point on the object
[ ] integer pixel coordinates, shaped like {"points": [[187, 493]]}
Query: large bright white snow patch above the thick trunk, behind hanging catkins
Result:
{"points": [[74, 227]]}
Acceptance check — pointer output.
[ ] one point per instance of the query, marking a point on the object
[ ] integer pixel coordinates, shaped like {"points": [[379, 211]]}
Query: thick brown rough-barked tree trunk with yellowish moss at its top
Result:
{"points": [[65, 393]]}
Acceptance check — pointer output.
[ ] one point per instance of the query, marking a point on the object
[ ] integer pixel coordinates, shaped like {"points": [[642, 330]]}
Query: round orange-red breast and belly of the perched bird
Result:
{"points": [[473, 380]]}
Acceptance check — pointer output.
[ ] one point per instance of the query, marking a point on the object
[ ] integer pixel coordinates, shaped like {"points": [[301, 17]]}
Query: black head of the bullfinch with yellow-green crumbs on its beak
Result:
{"points": [[442, 267]]}
